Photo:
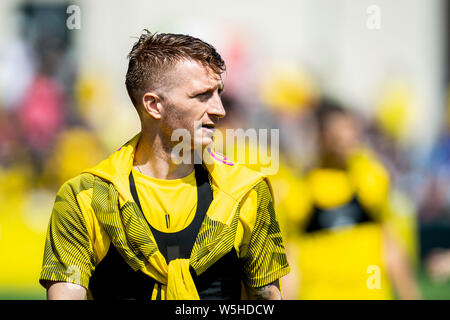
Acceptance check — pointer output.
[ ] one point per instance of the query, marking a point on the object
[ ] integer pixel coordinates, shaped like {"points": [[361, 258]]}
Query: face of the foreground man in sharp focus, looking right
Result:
{"points": [[192, 95]]}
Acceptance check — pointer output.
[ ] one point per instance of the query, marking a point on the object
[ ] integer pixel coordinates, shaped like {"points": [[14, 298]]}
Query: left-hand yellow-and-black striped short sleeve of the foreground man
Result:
{"points": [[68, 253]]}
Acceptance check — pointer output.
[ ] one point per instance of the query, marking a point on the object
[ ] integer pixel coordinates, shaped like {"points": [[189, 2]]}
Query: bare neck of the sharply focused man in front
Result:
{"points": [[153, 158]]}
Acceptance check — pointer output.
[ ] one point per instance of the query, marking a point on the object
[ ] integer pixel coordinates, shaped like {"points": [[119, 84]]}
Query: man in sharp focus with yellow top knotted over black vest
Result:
{"points": [[143, 225]]}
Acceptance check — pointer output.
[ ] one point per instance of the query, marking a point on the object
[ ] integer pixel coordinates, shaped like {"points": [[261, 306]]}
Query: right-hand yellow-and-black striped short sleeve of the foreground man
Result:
{"points": [[265, 260]]}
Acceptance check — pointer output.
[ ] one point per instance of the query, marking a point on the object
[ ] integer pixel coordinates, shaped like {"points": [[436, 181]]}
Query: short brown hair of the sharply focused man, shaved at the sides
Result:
{"points": [[154, 54]]}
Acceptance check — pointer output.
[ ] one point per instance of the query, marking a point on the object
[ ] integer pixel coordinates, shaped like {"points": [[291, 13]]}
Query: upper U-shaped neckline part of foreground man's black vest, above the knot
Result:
{"points": [[179, 244]]}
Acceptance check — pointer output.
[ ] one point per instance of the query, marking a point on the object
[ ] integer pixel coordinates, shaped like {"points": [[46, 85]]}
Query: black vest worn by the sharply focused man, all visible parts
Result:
{"points": [[113, 278]]}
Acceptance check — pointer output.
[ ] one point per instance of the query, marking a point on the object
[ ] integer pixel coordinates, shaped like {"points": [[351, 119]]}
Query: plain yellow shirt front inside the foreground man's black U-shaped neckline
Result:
{"points": [[156, 198]]}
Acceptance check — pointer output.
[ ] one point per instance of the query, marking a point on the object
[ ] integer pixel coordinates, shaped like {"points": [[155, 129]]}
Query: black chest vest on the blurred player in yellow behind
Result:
{"points": [[349, 214]]}
